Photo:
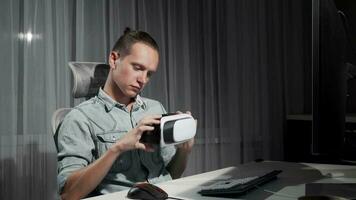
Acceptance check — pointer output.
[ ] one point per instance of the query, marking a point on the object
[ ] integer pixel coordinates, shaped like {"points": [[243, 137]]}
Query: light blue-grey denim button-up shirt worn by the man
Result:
{"points": [[89, 130]]}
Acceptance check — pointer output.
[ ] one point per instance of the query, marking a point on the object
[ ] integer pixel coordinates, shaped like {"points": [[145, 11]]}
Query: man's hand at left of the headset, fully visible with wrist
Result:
{"points": [[132, 139]]}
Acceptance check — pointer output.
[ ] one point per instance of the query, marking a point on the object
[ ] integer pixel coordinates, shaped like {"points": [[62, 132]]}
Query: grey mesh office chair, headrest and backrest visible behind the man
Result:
{"points": [[88, 77]]}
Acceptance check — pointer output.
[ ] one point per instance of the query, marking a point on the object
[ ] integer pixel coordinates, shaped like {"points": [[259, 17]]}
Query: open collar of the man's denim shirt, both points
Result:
{"points": [[111, 103]]}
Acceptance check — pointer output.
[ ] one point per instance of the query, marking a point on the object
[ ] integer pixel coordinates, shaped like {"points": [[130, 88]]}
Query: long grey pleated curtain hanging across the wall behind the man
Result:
{"points": [[236, 65]]}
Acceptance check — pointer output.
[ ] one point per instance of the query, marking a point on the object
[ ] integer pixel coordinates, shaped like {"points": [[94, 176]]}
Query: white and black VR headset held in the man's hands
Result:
{"points": [[173, 129]]}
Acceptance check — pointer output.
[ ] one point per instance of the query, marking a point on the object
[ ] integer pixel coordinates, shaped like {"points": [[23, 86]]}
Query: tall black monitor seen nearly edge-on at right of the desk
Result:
{"points": [[329, 81]]}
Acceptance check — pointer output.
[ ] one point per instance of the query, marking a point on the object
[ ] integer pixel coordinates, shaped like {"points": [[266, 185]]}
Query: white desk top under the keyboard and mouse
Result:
{"points": [[291, 183]]}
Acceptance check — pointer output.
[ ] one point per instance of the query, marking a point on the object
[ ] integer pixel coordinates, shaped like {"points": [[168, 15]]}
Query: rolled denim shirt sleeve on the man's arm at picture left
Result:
{"points": [[75, 146]]}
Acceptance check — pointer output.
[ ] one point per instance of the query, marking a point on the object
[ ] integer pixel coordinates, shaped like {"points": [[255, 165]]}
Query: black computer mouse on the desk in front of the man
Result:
{"points": [[146, 191]]}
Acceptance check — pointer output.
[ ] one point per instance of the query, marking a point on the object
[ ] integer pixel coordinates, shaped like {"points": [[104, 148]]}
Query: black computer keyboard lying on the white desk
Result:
{"points": [[239, 186]]}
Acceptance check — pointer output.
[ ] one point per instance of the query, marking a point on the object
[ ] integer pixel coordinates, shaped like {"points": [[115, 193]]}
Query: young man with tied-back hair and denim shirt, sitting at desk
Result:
{"points": [[99, 140]]}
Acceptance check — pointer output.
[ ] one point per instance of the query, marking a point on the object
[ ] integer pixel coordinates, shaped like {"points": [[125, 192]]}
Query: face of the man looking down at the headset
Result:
{"points": [[132, 72]]}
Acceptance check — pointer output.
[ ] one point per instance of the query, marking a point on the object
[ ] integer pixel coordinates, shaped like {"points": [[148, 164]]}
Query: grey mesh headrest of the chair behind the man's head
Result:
{"points": [[88, 78]]}
